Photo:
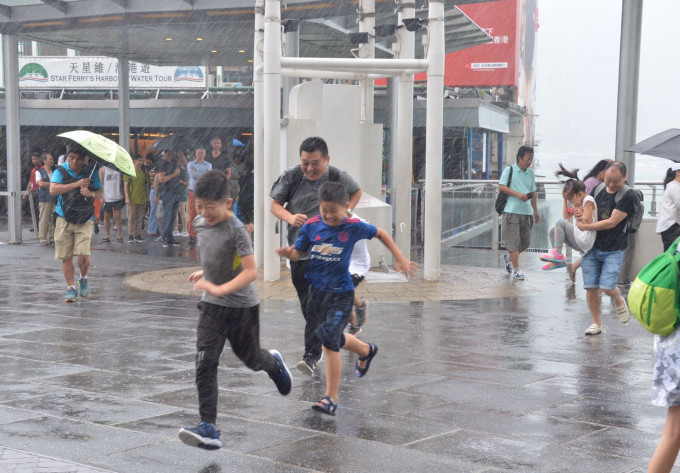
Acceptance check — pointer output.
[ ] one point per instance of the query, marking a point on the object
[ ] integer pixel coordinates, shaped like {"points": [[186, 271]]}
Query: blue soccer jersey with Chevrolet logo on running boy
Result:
{"points": [[331, 249]]}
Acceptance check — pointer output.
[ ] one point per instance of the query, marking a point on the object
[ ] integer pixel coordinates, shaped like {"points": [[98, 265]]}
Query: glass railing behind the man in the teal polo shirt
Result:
{"points": [[469, 219]]}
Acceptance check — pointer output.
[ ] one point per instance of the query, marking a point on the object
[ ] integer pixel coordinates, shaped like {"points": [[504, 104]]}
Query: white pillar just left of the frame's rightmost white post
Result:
{"points": [[404, 152]]}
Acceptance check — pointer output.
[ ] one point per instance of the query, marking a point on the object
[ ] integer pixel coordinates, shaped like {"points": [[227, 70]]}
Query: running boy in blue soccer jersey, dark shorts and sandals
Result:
{"points": [[331, 237]]}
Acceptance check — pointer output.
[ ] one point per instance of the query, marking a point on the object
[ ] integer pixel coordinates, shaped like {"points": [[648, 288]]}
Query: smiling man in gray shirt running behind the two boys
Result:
{"points": [[298, 187]]}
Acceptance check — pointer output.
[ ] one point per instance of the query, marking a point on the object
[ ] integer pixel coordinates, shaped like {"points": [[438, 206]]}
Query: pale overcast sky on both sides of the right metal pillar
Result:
{"points": [[576, 88]]}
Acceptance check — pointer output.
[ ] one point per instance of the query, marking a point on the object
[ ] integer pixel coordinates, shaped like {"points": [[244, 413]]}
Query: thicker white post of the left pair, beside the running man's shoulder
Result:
{"points": [[272, 127]]}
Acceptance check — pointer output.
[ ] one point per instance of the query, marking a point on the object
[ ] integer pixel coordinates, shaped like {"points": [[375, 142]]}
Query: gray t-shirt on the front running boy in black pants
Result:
{"points": [[221, 248]]}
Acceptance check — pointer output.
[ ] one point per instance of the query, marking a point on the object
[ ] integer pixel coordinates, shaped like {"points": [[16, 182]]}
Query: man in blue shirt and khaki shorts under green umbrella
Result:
{"points": [[77, 187]]}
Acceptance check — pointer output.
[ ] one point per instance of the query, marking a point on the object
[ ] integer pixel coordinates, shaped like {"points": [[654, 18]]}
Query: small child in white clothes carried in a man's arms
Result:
{"points": [[583, 206]]}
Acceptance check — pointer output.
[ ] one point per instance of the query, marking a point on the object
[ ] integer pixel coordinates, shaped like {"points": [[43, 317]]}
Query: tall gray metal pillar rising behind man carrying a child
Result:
{"points": [[629, 72]]}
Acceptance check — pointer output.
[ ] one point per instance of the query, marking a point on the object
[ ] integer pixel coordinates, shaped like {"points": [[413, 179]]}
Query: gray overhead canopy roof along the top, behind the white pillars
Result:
{"points": [[139, 28]]}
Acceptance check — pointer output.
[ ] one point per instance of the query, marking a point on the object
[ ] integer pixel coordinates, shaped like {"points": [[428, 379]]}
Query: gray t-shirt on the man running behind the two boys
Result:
{"points": [[305, 199]]}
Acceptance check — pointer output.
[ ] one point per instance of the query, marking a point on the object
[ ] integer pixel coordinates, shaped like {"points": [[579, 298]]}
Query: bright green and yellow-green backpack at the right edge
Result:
{"points": [[653, 296]]}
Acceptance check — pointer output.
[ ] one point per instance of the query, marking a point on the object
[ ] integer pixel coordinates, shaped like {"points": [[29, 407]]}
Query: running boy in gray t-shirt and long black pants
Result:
{"points": [[229, 308]]}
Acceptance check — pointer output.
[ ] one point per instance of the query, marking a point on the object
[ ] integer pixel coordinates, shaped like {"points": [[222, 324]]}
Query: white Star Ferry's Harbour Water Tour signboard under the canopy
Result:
{"points": [[92, 72]]}
